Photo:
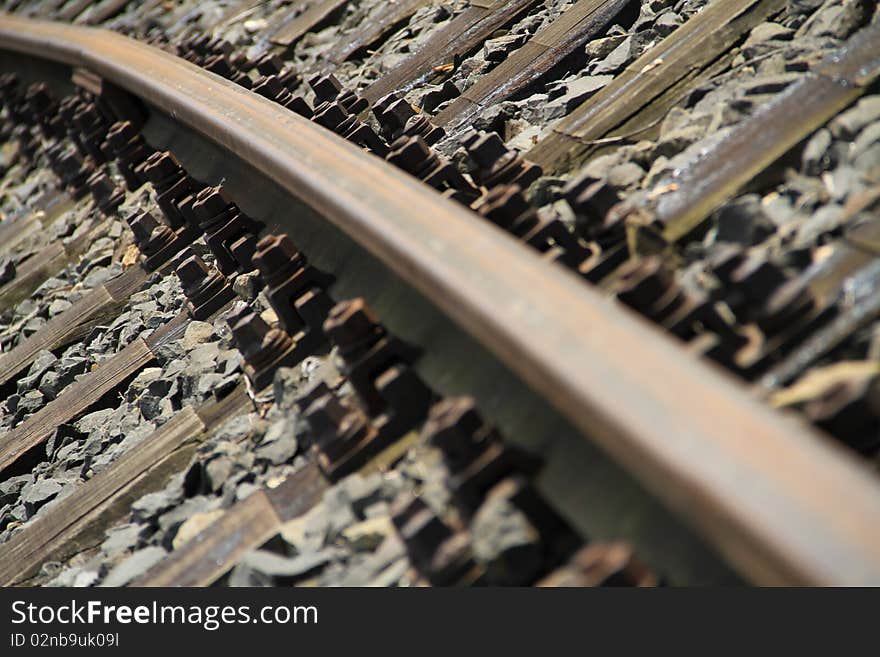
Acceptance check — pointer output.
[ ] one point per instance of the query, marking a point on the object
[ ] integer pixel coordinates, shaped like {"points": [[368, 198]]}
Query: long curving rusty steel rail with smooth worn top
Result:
{"points": [[781, 502]]}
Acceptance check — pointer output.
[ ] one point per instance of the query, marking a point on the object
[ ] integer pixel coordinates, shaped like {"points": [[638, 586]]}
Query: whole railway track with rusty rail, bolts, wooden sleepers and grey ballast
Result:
{"points": [[354, 376]]}
